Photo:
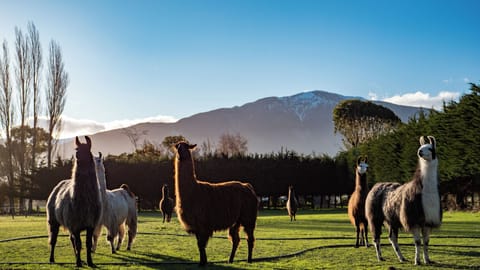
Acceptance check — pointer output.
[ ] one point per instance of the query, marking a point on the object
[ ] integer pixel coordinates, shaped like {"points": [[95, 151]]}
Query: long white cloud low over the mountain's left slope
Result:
{"points": [[75, 127]]}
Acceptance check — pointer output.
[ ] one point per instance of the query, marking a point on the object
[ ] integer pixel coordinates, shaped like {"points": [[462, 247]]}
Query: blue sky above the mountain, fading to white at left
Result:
{"points": [[134, 60]]}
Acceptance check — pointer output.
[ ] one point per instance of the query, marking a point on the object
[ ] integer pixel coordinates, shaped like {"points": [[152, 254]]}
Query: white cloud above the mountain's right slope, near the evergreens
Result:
{"points": [[425, 100]]}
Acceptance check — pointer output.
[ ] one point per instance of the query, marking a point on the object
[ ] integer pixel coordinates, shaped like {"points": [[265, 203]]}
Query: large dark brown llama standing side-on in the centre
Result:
{"points": [[203, 207]]}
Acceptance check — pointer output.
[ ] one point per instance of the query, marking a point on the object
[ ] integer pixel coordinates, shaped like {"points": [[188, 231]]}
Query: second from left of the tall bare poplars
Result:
{"points": [[23, 78]]}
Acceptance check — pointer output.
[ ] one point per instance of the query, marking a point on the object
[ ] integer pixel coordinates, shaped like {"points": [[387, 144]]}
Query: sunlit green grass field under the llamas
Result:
{"points": [[319, 239]]}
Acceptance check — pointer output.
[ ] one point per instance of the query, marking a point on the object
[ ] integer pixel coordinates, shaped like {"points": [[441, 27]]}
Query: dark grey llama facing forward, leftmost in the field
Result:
{"points": [[76, 204]]}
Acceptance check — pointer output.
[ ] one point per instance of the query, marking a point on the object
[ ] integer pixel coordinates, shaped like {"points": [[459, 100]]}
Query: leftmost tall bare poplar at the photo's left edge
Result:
{"points": [[7, 113]]}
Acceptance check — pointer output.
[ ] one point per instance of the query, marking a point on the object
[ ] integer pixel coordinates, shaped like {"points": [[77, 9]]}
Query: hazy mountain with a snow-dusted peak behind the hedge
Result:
{"points": [[302, 122]]}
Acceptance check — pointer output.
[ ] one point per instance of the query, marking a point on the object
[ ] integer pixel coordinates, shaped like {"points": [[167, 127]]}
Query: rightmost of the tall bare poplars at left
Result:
{"points": [[57, 82]]}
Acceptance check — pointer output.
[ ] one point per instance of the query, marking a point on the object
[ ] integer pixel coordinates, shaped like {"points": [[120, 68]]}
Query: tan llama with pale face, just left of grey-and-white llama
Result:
{"points": [[356, 204]]}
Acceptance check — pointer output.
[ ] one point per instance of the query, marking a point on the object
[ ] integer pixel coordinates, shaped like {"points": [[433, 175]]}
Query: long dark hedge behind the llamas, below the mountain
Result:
{"points": [[270, 174]]}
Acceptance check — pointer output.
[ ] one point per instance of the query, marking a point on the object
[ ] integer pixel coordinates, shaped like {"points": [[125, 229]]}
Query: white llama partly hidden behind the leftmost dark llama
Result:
{"points": [[119, 208]]}
